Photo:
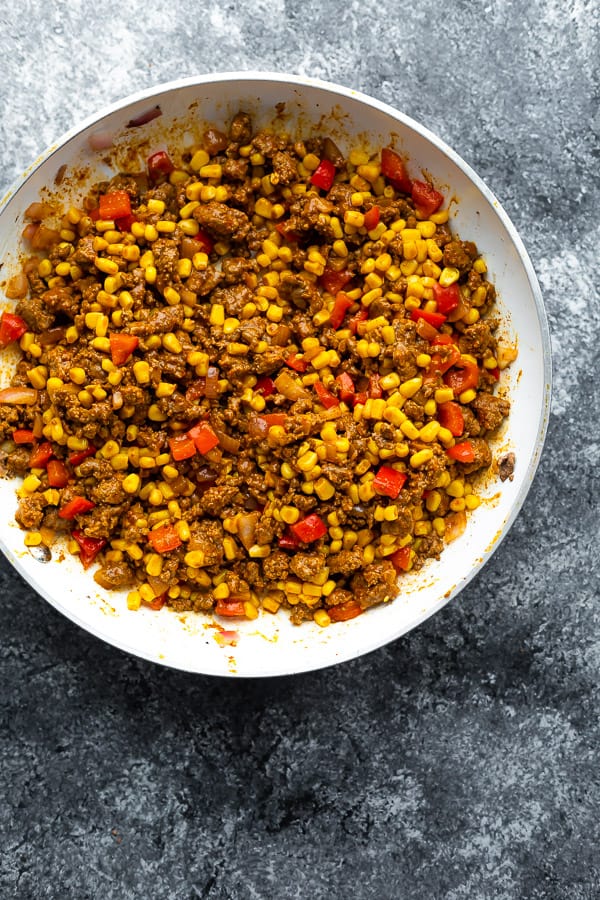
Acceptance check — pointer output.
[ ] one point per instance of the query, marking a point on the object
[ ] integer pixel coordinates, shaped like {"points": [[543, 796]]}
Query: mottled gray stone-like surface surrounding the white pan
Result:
{"points": [[459, 762]]}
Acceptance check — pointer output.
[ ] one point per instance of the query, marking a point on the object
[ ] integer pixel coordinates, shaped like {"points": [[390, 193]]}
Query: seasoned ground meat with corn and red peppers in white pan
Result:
{"points": [[255, 376]]}
